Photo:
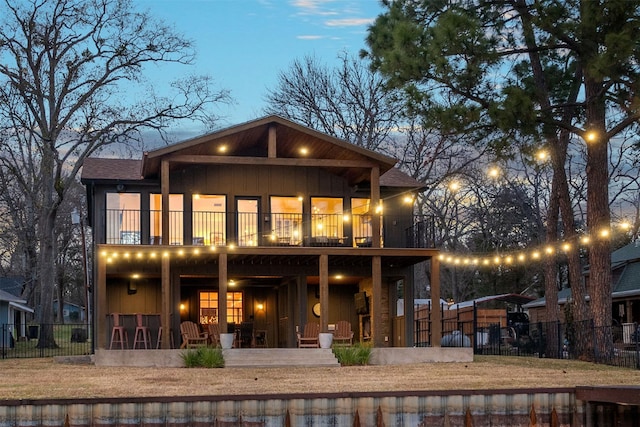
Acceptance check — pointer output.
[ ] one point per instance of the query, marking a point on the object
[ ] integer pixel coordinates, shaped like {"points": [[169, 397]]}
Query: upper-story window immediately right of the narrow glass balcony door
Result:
{"points": [[286, 220]]}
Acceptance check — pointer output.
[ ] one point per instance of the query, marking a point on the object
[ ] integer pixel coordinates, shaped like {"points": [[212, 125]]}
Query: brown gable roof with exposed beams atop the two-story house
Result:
{"points": [[251, 139]]}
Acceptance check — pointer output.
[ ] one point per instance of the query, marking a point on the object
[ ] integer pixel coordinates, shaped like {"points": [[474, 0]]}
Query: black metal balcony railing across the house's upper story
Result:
{"points": [[134, 227]]}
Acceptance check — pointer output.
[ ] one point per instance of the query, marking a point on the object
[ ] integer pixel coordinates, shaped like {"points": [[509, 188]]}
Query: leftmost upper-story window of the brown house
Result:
{"points": [[123, 219]]}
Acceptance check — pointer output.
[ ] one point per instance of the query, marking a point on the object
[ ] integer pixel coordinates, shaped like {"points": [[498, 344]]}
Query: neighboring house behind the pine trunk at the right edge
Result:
{"points": [[625, 296]]}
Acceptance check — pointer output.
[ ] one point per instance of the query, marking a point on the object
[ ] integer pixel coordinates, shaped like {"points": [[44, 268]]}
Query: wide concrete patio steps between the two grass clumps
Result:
{"points": [[278, 357]]}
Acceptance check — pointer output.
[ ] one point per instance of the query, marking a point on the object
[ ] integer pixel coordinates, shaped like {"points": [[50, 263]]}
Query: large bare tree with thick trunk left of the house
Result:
{"points": [[67, 83]]}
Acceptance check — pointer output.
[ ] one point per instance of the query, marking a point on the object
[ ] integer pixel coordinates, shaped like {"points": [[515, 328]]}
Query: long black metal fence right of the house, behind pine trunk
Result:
{"points": [[617, 345]]}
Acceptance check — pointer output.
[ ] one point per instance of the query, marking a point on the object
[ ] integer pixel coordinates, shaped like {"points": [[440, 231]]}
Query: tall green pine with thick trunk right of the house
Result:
{"points": [[560, 72]]}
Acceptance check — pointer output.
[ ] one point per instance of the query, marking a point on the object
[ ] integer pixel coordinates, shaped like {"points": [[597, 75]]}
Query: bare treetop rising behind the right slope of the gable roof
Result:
{"points": [[348, 102]]}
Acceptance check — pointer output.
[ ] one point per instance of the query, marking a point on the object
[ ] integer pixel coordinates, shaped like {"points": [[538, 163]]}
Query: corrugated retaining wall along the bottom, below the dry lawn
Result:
{"points": [[429, 408]]}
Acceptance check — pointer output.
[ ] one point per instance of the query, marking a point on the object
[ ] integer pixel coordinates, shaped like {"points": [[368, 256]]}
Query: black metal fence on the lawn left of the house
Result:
{"points": [[24, 341]]}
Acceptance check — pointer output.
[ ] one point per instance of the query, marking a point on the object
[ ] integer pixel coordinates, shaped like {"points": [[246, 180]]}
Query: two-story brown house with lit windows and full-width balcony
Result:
{"points": [[283, 224]]}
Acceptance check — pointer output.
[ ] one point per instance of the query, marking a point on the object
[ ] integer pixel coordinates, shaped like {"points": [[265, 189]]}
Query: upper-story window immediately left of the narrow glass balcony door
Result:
{"points": [[209, 219]]}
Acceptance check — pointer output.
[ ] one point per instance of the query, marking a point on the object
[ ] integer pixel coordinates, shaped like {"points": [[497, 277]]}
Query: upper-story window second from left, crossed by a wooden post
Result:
{"points": [[176, 219]]}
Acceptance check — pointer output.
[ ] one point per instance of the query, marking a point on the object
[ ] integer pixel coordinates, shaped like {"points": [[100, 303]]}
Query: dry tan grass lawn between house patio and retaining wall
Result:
{"points": [[44, 378]]}
